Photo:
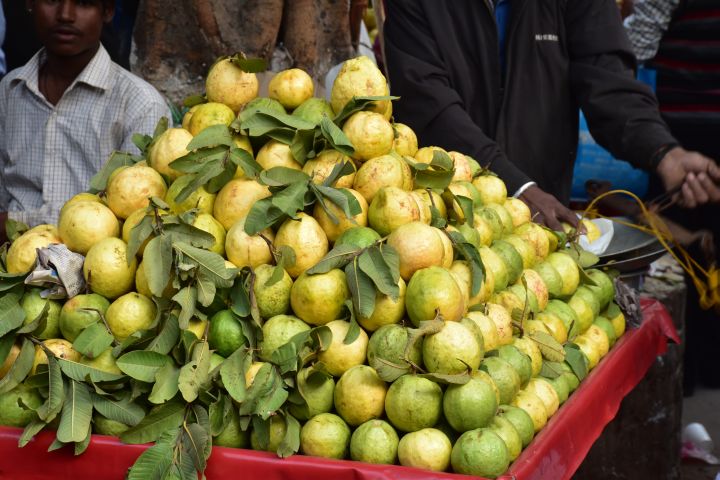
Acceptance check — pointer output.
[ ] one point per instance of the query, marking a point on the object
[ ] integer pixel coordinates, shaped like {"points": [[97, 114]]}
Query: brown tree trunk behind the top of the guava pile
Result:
{"points": [[176, 41]]}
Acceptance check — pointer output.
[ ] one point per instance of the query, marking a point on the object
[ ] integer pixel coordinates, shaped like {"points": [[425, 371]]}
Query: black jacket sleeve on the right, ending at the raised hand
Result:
{"points": [[622, 112]]}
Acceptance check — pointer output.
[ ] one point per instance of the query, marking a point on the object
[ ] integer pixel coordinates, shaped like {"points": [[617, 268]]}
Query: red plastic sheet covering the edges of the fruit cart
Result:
{"points": [[554, 454]]}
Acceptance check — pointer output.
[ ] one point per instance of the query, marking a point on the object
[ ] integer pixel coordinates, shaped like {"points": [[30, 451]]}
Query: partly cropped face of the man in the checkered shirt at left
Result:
{"points": [[69, 27]]}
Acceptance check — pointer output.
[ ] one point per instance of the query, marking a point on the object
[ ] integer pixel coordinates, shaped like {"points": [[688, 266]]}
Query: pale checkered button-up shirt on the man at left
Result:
{"points": [[49, 153]]}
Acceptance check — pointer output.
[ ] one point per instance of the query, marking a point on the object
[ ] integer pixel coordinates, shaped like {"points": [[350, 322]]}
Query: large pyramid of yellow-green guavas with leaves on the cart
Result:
{"points": [[309, 282]]}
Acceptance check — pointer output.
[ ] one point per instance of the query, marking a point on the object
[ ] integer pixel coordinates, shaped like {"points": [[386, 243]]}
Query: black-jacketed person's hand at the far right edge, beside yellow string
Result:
{"points": [[698, 176]]}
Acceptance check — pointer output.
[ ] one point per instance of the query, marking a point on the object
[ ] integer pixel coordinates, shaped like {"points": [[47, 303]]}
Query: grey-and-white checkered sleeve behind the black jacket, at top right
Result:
{"points": [[646, 26]]}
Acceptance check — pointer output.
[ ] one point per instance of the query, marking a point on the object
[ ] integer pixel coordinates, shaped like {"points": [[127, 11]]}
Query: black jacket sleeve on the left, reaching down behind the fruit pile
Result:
{"points": [[429, 104]]}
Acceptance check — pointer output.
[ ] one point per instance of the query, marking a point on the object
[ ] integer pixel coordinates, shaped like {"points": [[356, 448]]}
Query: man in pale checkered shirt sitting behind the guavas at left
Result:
{"points": [[65, 111]]}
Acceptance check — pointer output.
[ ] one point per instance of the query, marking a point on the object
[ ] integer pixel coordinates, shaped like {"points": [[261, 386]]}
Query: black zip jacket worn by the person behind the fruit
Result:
{"points": [[442, 58]]}
